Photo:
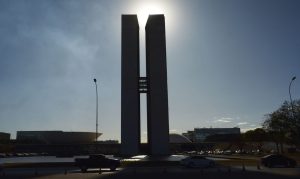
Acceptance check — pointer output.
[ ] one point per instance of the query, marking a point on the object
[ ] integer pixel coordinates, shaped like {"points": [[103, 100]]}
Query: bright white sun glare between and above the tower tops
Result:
{"points": [[145, 11]]}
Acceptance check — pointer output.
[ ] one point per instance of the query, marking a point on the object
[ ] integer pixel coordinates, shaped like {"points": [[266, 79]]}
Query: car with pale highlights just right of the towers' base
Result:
{"points": [[197, 161]]}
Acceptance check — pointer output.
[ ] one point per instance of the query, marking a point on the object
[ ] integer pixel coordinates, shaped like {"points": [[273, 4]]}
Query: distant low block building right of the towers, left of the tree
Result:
{"points": [[200, 134]]}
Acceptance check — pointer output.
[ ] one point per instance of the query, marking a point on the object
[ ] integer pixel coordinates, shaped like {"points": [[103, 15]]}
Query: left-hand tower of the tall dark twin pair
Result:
{"points": [[130, 97]]}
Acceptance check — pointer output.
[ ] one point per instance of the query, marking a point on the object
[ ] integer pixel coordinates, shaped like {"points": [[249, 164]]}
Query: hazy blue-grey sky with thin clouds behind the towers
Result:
{"points": [[229, 62]]}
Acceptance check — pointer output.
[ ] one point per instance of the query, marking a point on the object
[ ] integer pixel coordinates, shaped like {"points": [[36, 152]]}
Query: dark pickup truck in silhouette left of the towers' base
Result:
{"points": [[97, 161]]}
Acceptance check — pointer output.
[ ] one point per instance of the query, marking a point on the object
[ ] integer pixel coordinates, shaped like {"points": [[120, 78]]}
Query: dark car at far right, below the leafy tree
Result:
{"points": [[273, 160]]}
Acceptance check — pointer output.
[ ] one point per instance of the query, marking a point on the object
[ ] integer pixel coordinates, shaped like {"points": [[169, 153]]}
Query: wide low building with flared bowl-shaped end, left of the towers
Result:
{"points": [[56, 137]]}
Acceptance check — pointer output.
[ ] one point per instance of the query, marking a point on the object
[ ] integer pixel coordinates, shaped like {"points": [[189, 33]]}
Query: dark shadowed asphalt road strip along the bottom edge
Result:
{"points": [[174, 172]]}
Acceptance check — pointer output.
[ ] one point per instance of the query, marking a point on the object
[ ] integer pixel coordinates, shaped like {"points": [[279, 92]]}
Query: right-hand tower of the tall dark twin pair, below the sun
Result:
{"points": [[157, 97]]}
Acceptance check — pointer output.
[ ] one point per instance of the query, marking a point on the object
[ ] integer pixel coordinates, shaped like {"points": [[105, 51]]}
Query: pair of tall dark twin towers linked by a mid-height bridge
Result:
{"points": [[154, 84]]}
